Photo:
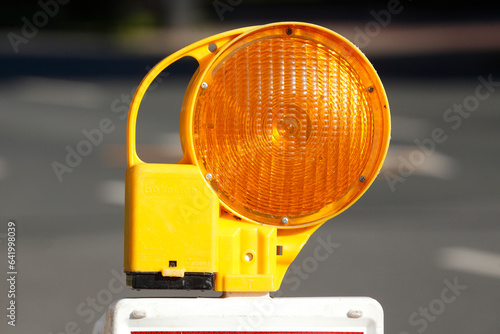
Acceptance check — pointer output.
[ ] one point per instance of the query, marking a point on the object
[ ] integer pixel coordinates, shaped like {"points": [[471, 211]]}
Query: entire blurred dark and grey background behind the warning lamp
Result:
{"points": [[428, 224]]}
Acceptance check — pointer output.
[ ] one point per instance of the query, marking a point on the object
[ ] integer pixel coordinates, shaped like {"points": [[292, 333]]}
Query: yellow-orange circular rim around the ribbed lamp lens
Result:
{"points": [[369, 79]]}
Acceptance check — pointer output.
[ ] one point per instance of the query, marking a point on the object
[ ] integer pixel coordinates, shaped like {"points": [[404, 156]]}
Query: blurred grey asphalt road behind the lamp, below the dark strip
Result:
{"points": [[437, 226]]}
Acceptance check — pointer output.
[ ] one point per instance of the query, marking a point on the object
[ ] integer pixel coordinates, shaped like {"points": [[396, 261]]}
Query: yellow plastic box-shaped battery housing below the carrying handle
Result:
{"points": [[167, 204]]}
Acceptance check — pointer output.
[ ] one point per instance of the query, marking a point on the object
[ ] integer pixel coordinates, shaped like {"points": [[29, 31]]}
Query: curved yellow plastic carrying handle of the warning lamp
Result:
{"points": [[198, 51]]}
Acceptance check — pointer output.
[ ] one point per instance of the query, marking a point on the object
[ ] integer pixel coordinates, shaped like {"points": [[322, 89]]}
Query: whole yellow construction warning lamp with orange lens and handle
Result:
{"points": [[283, 126]]}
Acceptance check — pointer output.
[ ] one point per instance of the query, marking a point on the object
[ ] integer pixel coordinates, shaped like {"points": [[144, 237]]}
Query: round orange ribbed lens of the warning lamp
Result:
{"points": [[284, 127]]}
